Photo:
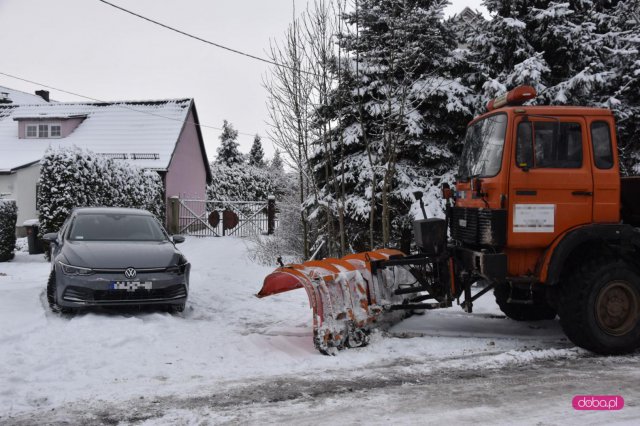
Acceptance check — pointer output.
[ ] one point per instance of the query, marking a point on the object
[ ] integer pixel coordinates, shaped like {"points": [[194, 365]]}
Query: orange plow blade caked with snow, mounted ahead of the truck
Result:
{"points": [[346, 298]]}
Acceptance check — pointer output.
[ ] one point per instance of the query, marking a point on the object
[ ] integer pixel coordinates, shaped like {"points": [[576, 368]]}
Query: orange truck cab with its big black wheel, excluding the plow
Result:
{"points": [[537, 213]]}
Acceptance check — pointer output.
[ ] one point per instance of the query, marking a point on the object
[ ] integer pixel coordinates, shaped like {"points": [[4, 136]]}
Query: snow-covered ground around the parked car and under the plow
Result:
{"points": [[230, 349]]}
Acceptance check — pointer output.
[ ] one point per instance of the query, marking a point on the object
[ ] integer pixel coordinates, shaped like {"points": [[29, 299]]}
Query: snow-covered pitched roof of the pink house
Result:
{"points": [[144, 133]]}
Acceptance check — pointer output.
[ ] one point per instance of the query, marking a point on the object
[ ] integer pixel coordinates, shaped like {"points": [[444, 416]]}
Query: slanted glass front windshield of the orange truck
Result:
{"points": [[483, 144]]}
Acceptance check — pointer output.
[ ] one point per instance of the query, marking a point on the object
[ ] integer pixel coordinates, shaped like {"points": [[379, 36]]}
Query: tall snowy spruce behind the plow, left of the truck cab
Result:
{"points": [[402, 110]]}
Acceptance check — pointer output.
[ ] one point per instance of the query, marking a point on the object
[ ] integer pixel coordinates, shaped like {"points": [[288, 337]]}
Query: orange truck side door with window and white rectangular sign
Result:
{"points": [[551, 182]]}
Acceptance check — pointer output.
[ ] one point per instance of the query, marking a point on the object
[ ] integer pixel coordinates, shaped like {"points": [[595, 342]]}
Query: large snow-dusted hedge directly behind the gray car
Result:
{"points": [[72, 177]]}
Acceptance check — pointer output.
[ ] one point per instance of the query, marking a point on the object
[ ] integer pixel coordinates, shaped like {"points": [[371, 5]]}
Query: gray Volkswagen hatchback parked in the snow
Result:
{"points": [[114, 257]]}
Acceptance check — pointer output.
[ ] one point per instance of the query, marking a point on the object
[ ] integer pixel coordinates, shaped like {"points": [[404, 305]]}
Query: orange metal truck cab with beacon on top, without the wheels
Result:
{"points": [[529, 174]]}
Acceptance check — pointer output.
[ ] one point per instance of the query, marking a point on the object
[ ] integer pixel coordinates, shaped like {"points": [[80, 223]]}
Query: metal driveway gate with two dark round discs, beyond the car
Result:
{"points": [[212, 218]]}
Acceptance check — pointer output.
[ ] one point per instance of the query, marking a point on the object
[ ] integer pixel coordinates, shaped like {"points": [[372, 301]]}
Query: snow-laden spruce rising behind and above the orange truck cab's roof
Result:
{"points": [[573, 53]]}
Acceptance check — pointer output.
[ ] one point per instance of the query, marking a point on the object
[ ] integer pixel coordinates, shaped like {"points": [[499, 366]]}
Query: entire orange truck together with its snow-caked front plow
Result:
{"points": [[539, 213]]}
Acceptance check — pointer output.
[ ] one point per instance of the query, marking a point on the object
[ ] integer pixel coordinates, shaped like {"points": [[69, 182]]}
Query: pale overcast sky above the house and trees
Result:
{"points": [[89, 48]]}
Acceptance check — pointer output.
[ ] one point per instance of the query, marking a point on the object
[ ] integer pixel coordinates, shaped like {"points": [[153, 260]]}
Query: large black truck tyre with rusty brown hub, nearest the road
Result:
{"points": [[600, 306]]}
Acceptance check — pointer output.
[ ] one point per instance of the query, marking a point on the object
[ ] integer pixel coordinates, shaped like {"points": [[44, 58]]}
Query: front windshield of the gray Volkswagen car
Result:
{"points": [[115, 227]]}
